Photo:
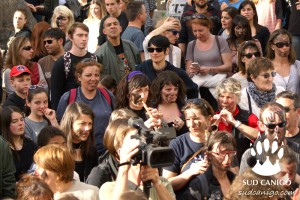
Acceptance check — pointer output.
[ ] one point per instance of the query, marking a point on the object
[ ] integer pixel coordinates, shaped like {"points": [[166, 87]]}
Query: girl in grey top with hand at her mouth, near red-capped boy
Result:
{"points": [[40, 115]]}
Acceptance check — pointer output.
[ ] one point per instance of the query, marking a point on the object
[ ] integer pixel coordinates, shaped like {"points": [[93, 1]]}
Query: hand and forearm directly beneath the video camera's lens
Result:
{"points": [[151, 174]]}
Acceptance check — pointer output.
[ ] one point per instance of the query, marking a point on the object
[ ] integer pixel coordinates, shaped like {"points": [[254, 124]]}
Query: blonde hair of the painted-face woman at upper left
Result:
{"points": [[65, 12]]}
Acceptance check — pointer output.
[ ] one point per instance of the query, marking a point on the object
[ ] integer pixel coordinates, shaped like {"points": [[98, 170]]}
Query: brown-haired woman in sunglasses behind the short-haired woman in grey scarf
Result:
{"points": [[247, 52]]}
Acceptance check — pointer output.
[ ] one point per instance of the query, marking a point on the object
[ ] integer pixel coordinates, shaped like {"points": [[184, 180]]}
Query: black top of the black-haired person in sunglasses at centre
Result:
{"points": [[147, 68]]}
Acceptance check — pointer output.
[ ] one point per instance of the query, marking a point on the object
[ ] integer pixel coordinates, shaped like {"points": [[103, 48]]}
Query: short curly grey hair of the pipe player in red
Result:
{"points": [[230, 85]]}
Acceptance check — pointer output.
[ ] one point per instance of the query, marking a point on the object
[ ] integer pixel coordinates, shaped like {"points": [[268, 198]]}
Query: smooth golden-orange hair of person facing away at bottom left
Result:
{"points": [[56, 159]]}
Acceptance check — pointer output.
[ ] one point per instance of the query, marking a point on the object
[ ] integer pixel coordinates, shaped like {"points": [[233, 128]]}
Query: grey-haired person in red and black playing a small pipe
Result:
{"points": [[231, 118]]}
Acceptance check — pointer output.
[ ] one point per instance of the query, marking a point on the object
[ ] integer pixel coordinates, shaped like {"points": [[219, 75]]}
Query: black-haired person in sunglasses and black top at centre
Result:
{"points": [[158, 47]]}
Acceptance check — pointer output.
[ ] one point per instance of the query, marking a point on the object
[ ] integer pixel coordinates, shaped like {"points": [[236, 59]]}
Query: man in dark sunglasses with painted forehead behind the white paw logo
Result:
{"points": [[273, 122]]}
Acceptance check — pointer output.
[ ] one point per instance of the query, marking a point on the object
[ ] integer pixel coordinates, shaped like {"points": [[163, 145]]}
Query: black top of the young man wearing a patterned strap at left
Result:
{"points": [[59, 83]]}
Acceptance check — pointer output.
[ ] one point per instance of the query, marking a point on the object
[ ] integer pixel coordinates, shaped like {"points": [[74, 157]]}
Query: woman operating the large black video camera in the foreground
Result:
{"points": [[130, 176]]}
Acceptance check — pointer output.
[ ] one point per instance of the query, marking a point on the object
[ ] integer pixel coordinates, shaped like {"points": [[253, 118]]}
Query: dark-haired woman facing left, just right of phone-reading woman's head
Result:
{"points": [[227, 17]]}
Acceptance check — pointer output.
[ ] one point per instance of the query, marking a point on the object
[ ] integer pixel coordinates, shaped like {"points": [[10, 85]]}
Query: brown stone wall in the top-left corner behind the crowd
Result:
{"points": [[7, 9]]}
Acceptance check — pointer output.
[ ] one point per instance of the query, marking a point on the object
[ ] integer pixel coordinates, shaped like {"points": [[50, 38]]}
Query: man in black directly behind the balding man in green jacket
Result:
{"points": [[113, 9]]}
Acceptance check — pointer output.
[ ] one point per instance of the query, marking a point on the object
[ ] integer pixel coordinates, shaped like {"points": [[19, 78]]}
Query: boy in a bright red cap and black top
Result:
{"points": [[20, 80]]}
